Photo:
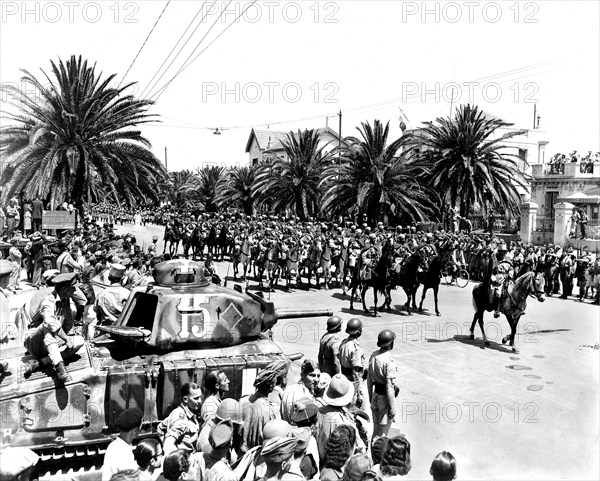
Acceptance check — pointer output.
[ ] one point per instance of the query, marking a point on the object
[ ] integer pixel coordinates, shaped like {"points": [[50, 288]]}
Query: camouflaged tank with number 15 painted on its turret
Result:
{"points": [[171, 332]]}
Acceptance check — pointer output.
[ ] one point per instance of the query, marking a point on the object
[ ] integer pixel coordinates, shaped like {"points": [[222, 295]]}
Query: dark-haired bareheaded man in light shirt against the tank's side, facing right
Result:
{"points": [[181, 428]]}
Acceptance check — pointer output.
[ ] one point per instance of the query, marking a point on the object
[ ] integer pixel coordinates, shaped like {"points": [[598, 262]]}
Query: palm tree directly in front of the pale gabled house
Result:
{"points": [[293, 184]]}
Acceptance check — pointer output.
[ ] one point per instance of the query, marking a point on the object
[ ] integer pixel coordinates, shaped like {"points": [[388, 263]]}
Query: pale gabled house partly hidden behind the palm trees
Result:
{"points": [[267, 143]]}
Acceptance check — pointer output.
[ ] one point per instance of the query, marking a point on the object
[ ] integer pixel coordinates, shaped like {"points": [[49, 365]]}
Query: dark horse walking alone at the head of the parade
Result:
{"points": [[512, 305]]}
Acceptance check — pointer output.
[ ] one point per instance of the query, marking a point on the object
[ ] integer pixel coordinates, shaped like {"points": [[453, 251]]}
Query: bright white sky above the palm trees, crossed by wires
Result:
{"points": [[284, 65]]}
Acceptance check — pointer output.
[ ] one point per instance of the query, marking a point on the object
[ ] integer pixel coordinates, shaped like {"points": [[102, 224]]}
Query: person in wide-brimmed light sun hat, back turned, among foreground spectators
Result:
{"points": [[337, 399]]}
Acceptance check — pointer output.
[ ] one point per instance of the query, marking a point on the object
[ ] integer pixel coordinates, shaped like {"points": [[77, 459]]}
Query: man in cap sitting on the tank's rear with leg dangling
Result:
{"points": [[49, 343]]}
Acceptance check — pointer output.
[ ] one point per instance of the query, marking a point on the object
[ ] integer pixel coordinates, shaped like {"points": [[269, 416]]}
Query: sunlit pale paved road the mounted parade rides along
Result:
{"points": [[532, 415]]}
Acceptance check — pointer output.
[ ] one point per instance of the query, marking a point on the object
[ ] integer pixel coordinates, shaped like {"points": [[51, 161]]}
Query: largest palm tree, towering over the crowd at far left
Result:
{"points": [[79, 141]]}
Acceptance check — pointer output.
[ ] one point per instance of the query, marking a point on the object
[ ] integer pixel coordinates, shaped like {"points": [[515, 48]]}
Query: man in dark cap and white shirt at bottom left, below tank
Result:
{"points": [[119, 453]]}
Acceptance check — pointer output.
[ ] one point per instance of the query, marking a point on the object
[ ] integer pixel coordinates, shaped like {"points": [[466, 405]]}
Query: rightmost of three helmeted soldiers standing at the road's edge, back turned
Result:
{"points": [[381, 386]]}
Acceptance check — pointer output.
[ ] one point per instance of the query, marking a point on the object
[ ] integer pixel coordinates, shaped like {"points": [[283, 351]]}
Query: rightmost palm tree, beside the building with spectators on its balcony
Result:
{"points": [[467, 161]]}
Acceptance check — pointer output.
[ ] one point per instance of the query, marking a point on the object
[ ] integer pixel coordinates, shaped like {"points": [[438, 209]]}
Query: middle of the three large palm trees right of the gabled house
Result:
{"points": [[374, 178]]}
